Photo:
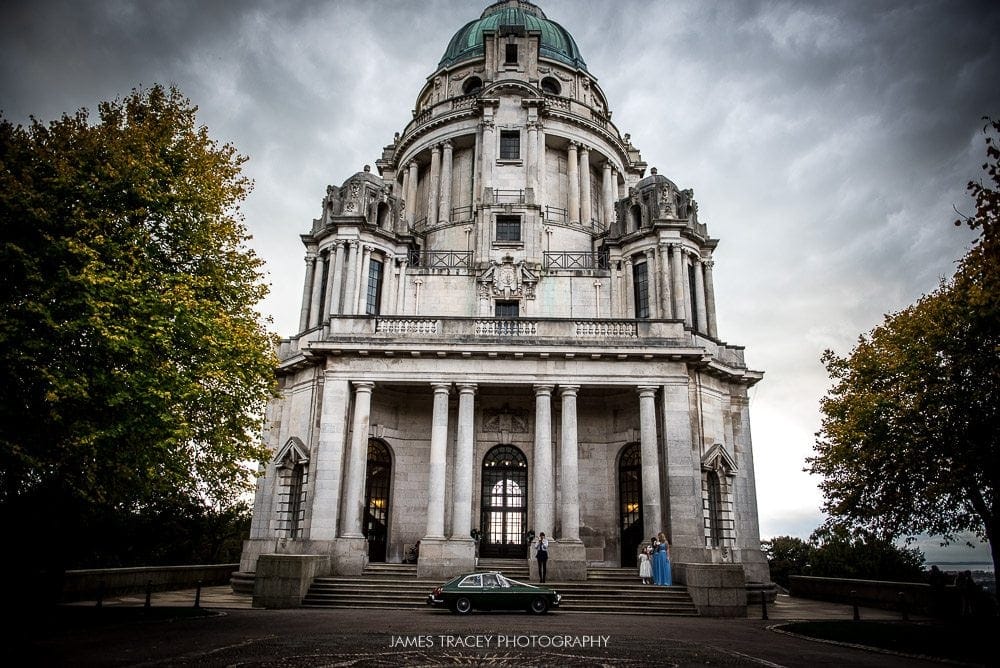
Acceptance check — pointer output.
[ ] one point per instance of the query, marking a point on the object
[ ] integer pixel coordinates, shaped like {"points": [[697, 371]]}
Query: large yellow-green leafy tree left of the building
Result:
{"points": [[134, 365]]}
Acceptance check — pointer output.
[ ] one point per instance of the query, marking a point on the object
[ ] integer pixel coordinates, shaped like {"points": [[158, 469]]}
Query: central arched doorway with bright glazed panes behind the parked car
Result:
{"points": [[504, 503]]}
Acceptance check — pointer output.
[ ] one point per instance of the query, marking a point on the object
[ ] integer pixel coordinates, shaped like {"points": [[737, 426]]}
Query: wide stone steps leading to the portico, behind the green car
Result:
{"points": [[606, 590]]}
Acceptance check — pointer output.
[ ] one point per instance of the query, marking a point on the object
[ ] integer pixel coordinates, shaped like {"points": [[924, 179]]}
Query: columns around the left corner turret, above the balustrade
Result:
{"points": [[345, 267]]}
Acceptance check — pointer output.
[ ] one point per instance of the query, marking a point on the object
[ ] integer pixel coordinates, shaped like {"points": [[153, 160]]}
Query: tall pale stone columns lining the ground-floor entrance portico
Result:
{"points": [[543, 507]]}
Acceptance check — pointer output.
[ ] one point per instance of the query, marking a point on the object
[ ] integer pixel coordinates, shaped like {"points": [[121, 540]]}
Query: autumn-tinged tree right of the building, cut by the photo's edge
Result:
{"points": [[910, 437]]}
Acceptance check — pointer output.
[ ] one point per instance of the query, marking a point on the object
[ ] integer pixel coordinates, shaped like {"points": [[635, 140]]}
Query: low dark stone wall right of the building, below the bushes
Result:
{"points": [[918, 598]]}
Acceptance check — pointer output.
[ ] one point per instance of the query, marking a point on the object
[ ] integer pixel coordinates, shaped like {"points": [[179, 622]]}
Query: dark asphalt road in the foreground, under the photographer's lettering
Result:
{"points": [[423, 637]]}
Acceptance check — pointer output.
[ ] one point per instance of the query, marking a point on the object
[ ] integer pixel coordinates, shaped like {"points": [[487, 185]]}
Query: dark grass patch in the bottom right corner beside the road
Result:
{"points": [[967, 640]]}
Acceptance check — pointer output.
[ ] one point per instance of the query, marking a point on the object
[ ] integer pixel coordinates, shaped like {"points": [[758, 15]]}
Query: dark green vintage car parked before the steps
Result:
{"points": [[492, 591]]}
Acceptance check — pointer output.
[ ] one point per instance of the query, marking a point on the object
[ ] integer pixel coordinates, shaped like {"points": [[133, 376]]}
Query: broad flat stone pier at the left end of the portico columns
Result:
{"points": [[327, 470]]}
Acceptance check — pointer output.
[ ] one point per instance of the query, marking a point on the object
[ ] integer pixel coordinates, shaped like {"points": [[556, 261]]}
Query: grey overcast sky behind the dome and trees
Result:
{"points": [[828, 143]]}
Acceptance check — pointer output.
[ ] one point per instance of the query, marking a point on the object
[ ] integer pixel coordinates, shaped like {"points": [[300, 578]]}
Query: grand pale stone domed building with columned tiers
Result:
{"points": [[509, 329]]}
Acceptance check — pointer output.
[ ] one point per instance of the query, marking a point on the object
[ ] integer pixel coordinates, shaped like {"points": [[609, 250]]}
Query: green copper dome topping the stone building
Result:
{"points": [[555, 42]]}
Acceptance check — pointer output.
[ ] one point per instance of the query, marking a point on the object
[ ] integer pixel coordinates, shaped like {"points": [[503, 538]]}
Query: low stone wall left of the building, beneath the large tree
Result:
{"points": [[89, 584]]}
